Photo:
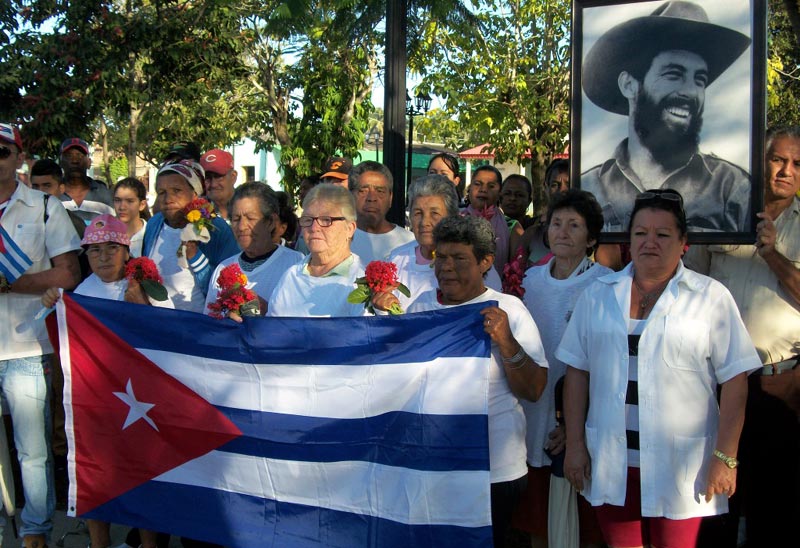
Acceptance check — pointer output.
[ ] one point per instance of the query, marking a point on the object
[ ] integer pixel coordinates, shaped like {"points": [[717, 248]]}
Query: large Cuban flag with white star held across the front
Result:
{"points": [[282, 432]]}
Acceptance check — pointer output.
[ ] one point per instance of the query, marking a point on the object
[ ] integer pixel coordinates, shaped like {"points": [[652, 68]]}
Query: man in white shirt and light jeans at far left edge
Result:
{"points": [[39, 226]]}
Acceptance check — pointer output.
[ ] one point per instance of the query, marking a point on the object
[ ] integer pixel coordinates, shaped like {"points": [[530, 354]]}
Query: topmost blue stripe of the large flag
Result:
{"points": [[343, 341]]}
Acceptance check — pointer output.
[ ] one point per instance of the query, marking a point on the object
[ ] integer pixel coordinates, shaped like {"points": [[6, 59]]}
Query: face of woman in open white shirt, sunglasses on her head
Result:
{"points": [[656, 242]]}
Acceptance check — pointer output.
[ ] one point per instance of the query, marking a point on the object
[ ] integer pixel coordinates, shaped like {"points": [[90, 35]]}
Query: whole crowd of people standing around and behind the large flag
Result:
{"points": [[617, 396]]}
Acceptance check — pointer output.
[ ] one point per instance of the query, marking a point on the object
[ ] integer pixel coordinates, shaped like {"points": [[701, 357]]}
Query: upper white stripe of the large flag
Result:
{"points": [[318, 391]]}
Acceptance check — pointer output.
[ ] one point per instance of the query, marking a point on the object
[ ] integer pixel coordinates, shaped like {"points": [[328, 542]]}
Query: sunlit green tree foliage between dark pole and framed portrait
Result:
{"points": [[511, 88]]}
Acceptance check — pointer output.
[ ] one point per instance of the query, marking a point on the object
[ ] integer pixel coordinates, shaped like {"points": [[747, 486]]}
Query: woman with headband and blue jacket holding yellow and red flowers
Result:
{"points": [[186, 265]]}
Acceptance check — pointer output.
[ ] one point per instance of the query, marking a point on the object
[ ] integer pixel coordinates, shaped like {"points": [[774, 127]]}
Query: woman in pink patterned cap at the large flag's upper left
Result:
{"points": [[106, 244]]}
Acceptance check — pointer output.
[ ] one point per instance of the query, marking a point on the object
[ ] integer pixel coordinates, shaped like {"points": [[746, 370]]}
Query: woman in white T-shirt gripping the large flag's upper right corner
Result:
{"points": [[465, 249]]}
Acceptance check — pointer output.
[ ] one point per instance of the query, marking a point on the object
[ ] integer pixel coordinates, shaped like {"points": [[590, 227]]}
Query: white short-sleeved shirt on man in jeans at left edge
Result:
{"points": [[23, 220]]}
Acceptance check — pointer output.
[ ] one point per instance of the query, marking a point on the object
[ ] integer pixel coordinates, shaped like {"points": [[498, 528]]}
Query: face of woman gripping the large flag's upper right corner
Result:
{"points": [[459, 273]]}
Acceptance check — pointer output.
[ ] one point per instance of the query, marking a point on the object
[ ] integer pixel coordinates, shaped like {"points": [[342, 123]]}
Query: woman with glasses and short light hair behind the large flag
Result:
{"points": [[319, 285]]}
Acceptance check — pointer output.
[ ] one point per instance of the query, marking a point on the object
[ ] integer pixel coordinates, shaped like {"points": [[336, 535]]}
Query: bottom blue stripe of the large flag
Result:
{"points": [[243, 521]]}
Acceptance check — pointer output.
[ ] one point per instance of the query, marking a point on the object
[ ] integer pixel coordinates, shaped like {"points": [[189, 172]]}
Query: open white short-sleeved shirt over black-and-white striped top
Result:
{"points": [[693, 340]]}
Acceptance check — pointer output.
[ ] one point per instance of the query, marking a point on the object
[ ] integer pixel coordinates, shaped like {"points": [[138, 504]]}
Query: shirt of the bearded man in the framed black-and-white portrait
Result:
{"points": [[716, 192]]}
